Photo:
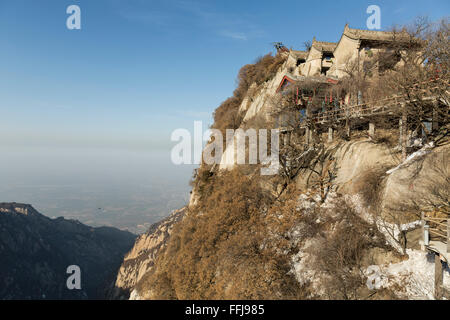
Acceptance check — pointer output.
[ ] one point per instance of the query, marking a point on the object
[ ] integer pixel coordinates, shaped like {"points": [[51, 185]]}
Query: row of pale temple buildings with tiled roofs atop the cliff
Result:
{"points": [[357, 50]]}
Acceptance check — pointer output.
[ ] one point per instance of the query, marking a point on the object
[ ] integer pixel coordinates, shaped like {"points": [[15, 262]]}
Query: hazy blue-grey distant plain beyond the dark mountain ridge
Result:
{"points": [[128, 190]]}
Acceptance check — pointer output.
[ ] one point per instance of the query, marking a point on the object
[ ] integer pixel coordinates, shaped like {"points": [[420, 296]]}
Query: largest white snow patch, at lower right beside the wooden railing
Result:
{"points": [[409, 279]]}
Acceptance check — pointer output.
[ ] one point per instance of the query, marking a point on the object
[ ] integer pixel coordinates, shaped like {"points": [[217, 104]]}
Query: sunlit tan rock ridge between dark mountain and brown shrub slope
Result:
{"points": [[140, 260]]}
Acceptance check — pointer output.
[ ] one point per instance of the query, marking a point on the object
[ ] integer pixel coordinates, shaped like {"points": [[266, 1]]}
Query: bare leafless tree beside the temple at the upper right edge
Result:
{"points": [[420, 79]]}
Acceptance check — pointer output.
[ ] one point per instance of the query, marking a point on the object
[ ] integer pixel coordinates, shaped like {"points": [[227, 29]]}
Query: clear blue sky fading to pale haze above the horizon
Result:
{"points": [[136, 71]]}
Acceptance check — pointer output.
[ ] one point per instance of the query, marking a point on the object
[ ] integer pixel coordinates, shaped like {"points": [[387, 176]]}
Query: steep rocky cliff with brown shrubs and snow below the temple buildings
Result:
{"points": [[353, 205]]}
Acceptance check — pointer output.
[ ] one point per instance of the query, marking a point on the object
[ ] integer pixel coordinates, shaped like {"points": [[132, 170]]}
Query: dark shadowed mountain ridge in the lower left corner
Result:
{"points": [[35, 252]]}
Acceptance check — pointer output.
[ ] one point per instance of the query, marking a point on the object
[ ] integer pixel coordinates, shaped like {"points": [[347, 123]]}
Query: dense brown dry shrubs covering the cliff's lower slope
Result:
{"points": [[217, 252]]}
